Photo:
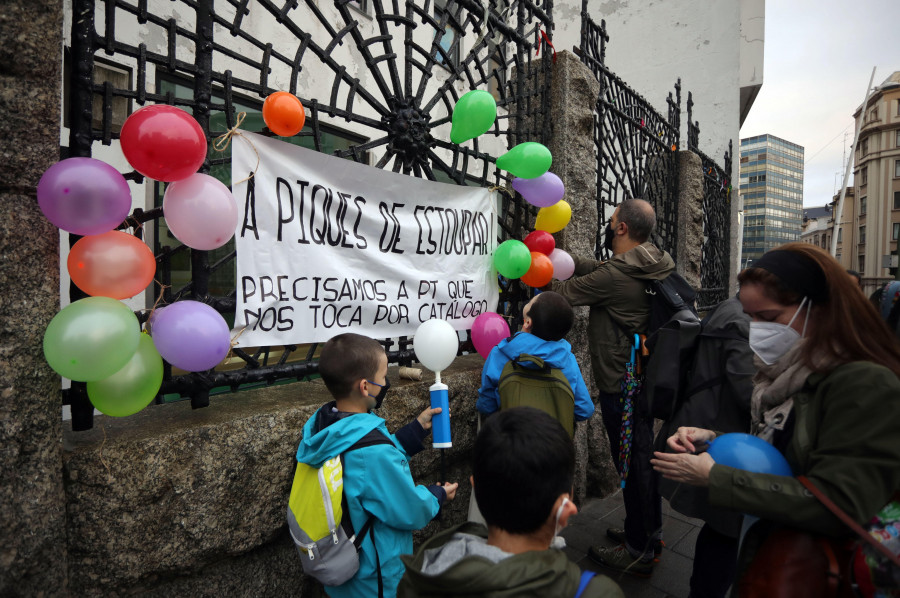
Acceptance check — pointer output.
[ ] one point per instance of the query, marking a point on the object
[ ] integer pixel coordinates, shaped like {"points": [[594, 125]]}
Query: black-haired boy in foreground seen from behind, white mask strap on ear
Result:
{"points": [[522, 474]]}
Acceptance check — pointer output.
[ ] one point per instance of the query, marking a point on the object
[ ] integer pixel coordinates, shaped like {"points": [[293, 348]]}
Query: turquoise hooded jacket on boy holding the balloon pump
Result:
{"points": [[377, 482]]}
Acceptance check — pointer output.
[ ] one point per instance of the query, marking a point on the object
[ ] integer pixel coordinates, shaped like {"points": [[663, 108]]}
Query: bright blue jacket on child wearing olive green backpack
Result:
{"points": [[556, 354]]}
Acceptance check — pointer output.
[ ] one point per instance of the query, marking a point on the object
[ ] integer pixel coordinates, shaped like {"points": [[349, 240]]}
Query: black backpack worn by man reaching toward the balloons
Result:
{"points": [[671, 343]]}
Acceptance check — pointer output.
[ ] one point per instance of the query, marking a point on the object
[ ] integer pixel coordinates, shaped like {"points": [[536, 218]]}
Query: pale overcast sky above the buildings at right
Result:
{"points": [[819, 56]]}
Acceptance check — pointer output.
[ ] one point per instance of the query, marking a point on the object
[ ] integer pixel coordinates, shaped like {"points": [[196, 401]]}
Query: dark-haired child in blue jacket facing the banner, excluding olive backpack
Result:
{"points": [[548, 317]]}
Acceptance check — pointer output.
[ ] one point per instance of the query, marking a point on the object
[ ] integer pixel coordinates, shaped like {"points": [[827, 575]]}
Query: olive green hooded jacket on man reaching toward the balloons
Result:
{"points": [[615, 290]]}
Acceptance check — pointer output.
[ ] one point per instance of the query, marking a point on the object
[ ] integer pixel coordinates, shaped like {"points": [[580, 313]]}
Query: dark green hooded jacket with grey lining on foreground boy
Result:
{"points": [[458, 562]]}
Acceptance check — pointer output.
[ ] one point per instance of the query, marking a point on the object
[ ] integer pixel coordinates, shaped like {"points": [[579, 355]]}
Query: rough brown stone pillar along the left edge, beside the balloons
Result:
{"points": [[32, 507]]}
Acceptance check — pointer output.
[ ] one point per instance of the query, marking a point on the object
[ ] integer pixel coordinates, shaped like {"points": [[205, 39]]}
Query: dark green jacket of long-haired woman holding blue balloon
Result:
{"points": [[846, 440]]}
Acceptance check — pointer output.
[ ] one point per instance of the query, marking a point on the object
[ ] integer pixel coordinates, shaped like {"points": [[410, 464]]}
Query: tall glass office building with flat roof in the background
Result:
{"points": [[772, 191]]}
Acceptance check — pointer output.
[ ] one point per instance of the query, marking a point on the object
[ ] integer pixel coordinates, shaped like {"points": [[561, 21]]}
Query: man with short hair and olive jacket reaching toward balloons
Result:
{"points": [[615, 290]]}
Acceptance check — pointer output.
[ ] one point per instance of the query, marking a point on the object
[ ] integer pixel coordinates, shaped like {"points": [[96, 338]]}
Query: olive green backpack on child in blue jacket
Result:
{"points": [[542, 387]]}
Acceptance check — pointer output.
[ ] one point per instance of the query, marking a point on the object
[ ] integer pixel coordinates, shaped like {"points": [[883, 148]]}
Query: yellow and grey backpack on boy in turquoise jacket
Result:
{"points": [[329, 550]]}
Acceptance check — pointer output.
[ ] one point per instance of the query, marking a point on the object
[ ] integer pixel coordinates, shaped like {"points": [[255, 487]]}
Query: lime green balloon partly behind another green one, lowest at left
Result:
{"points": [[133, 387]]}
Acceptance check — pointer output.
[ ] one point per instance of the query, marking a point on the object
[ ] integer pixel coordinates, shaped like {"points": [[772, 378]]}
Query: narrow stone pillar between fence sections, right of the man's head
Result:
{"points": [[690, 216]]}
